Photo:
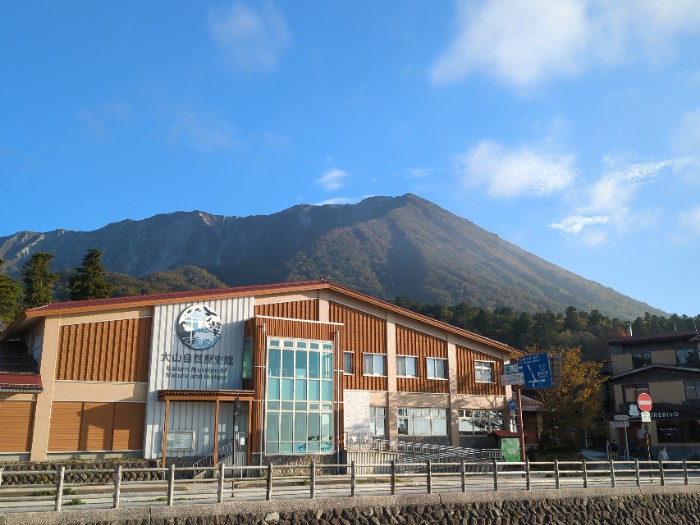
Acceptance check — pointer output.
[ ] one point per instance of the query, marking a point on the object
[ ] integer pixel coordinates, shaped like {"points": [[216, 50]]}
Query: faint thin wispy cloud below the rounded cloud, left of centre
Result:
{"points": [[201, 130]]}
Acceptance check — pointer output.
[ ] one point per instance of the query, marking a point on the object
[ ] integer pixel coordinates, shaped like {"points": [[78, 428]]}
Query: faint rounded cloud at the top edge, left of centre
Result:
{"points": [[252, 40]]}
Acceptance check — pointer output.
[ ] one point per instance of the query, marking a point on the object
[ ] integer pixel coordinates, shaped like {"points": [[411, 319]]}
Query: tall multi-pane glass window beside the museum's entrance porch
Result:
{"points": [[299, 397]]}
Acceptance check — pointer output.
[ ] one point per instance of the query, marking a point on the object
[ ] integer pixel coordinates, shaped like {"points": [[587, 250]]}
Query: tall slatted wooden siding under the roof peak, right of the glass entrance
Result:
{"points": [[362, 333]]}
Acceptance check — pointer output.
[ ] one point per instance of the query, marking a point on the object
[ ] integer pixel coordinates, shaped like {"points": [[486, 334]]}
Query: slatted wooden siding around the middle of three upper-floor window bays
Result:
{"points": [[412, 342]]}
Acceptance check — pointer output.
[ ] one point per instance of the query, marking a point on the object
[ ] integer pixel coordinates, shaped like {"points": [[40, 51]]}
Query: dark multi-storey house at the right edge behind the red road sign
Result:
{"points": [[667, 367]]}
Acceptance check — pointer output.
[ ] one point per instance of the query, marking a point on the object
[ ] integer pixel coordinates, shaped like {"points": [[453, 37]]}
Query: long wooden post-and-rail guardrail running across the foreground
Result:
{"points": [[335, 481]]}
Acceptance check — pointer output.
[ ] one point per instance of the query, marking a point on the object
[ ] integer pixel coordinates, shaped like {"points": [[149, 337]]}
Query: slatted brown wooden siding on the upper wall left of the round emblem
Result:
{"points": [[105, 351]]}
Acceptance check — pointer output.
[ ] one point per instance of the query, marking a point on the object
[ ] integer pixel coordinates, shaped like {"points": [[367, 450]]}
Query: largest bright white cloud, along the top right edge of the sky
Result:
{"points": [[528, 42]]}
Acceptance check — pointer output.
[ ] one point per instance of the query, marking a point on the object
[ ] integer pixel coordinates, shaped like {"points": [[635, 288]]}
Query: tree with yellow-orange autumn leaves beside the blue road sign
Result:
{"points": [[572, 412]]}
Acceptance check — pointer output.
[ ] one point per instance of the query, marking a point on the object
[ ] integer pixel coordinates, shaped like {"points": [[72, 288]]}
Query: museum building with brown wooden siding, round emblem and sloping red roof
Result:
{"points": [[290, 369]]}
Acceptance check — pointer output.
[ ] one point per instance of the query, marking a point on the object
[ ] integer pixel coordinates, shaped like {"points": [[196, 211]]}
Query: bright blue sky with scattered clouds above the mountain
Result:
{"points": [[567, 127]]}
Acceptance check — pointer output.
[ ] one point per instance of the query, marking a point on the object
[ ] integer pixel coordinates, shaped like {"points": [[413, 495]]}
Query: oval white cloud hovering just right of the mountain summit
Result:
{"points": [[511, 173]]}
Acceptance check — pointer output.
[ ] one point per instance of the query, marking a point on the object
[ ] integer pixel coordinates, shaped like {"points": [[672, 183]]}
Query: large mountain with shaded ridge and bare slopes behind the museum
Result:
{"points": [[383, 246]]}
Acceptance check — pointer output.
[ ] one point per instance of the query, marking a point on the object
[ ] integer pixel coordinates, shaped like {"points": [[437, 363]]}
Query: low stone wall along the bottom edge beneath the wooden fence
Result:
{"points": [[643, 506]]}
